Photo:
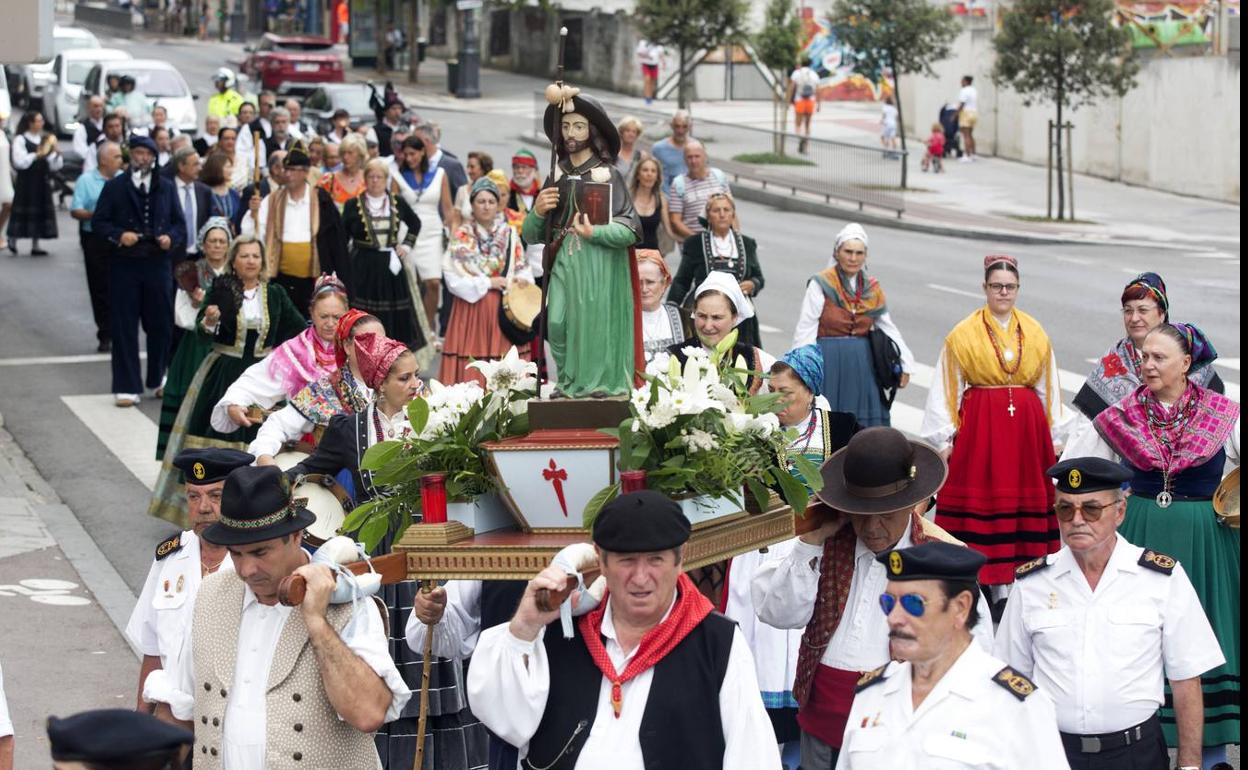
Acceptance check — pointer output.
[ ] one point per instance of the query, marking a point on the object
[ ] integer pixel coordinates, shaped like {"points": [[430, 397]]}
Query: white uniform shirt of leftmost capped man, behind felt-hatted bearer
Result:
{"points": [[162, 621]]}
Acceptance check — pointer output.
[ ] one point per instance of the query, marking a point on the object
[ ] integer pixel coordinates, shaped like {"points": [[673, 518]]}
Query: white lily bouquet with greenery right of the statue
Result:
{"points": [[698, 434]]}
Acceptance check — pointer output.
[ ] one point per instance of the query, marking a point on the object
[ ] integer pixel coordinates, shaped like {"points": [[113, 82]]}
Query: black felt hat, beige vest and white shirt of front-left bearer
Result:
{"points": [[251, 682]]}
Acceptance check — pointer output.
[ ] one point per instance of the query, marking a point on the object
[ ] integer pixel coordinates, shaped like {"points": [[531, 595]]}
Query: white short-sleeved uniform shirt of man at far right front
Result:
{"points": [[1101, 655]]}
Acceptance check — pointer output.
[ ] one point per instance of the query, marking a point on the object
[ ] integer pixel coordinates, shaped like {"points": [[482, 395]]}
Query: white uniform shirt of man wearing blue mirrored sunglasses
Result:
{"points": [[969, 721]]}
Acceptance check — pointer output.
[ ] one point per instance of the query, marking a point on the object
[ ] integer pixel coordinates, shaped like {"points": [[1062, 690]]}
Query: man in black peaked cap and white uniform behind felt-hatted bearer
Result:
{"points": [[162, 621]]}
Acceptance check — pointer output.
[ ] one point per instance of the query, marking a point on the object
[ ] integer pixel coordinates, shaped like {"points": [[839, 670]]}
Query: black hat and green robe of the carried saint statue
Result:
{"points": [[592, 309]]}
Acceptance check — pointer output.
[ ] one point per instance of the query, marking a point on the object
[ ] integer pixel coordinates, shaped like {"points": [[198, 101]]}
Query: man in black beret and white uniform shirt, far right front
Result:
{"points": [[1104, 625]]}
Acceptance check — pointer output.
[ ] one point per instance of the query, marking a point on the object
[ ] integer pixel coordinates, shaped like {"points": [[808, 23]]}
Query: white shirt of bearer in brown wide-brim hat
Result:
{"points": [[786, 587]]}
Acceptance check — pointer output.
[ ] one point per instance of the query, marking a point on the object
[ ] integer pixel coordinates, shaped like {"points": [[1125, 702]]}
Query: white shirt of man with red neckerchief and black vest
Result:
{"points": [[510, 680]]}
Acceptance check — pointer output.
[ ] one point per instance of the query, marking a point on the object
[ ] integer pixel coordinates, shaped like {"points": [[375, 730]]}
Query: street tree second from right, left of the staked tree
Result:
{"points": [[898, 37]]}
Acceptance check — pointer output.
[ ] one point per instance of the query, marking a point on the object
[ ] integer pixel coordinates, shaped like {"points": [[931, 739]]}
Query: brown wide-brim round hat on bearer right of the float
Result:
{"points": [[882, 471]]}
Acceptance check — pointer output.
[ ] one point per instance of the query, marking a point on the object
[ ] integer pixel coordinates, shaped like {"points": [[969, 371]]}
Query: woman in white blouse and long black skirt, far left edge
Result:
{"points": [[36, 159]]}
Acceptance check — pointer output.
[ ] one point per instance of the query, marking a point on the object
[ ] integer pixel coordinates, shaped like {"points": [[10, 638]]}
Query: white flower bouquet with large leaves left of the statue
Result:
{"points": [[450, 425]]}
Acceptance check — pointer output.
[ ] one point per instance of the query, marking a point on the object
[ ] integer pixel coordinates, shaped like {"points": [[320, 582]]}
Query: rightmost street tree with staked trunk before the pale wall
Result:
{"points": [[1065, 52]]}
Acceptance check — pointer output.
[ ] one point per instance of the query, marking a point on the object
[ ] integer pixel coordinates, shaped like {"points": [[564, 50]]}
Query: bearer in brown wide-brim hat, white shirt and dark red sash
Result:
{"points": [[831, 583]]}
